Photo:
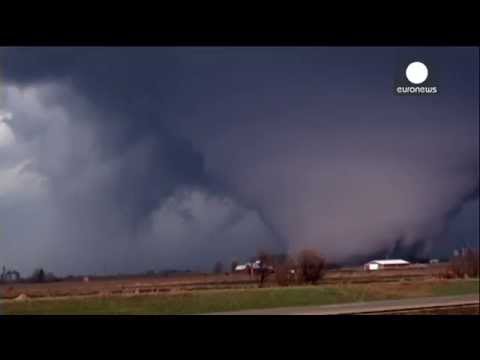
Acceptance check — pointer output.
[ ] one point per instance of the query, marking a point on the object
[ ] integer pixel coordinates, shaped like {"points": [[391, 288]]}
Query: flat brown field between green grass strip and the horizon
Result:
{"points": [[104, 286]]}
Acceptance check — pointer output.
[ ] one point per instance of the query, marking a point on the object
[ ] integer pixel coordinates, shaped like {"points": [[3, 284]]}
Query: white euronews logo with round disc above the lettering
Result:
{"points": [[416, 78]]}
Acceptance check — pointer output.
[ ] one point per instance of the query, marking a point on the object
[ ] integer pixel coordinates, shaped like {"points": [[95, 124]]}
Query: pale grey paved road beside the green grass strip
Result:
{"points": [[365, 307]]}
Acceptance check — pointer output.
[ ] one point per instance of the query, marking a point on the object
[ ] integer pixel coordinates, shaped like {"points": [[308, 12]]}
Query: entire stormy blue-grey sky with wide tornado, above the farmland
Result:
{"points": [[116, 160]]}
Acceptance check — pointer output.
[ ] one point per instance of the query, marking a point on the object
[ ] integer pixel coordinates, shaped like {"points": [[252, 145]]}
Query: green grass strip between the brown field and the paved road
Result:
{"points": [[229, 300]]}
